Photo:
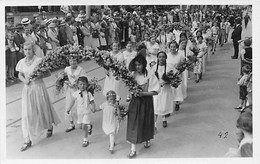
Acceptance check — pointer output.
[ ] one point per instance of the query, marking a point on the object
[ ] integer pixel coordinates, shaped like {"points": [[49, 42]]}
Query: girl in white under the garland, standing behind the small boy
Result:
{"points": [[74, 72]]}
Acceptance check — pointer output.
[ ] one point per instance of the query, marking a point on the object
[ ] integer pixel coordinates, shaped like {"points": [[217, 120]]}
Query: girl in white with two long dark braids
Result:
{"points": [[163, 103]]}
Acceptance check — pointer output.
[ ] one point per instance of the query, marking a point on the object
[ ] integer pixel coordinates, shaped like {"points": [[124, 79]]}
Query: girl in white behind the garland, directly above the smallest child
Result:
{"points": [[111, 83]]}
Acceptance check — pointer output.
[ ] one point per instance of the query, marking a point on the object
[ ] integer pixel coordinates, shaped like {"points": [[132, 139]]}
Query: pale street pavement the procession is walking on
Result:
{"points": [[192, 132]]}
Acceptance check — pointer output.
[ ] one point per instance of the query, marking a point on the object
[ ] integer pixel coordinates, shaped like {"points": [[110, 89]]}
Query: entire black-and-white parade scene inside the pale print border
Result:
{"points": [[128, 81]]}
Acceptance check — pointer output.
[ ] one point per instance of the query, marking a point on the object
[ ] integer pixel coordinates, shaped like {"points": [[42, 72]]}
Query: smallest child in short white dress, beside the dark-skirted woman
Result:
{"points": [[110, 121]]}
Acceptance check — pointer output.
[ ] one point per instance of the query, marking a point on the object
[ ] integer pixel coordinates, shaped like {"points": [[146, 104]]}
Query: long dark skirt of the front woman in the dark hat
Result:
{"points": [[140, 123]]}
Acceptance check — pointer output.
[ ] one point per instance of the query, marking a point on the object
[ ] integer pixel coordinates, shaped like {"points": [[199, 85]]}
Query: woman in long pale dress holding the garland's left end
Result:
{"points": [[37, 111]]}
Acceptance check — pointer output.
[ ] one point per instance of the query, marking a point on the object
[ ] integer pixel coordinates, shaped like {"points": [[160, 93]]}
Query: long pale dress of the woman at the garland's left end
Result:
{"points": [[38, 113]]}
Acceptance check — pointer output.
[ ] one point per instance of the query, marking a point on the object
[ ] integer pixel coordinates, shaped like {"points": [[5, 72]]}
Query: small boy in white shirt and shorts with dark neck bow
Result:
{"points": [[85, 104]]}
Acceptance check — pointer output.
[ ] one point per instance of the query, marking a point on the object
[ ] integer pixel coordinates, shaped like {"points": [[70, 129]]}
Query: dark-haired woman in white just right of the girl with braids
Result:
{"points": [[173, 59]]}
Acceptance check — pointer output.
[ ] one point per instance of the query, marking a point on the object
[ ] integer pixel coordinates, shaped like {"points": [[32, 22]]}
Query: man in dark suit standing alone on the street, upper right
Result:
{"points": [[236, 36]]}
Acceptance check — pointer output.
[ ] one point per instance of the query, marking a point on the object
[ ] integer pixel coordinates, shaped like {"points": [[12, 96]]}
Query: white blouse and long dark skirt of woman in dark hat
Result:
{"points": [[140, 123]]}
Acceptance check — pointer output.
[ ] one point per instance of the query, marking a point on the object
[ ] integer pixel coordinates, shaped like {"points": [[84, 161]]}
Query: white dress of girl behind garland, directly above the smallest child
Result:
{"points": [[111, 83]]}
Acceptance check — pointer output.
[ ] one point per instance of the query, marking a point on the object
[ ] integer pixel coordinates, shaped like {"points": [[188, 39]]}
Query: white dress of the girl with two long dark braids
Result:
{"points": [[163, 103]]}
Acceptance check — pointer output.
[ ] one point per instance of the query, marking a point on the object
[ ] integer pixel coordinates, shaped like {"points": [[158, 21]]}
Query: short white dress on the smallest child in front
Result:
{"points": [[109, 123]]}
